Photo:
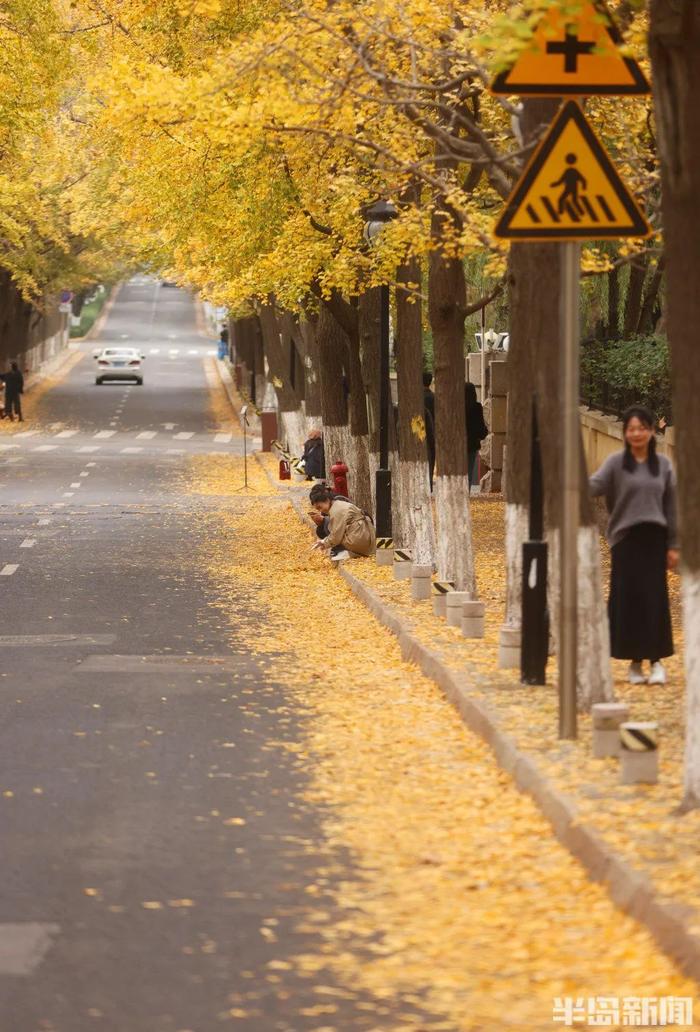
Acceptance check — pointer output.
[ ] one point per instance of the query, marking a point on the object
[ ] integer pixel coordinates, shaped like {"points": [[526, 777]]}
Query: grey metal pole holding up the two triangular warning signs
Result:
{"points": [[571, 490]]}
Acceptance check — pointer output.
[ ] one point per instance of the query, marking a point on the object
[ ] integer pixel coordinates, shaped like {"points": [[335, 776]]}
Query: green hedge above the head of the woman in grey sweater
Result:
{"points": [[622, 373]]}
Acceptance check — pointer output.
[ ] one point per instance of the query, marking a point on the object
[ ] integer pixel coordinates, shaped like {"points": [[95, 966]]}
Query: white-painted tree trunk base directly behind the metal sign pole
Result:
{"points": [[594, 674]]}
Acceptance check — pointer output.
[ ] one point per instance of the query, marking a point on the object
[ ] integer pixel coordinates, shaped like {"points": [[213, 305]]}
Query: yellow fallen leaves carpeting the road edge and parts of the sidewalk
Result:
{"points": [[464, 905]]}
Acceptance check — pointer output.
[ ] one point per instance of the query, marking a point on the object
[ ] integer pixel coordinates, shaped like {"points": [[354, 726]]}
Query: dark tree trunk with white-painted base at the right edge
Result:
{"points": [[675, 46]]}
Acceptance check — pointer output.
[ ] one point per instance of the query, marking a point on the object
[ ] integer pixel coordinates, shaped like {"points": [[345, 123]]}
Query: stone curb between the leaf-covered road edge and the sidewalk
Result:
{"points": [[670, 923]]}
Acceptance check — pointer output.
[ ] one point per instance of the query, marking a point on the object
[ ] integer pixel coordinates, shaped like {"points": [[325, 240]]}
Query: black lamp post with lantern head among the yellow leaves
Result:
{"points": [[377, 216]]}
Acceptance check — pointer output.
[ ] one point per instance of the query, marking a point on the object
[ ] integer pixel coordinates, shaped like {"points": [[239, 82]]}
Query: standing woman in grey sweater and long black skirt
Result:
{"points": [[640, 490]]}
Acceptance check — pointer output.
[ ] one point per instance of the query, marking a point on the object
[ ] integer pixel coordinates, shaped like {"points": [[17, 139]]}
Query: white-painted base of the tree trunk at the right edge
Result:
{"points": [[691, 597]]}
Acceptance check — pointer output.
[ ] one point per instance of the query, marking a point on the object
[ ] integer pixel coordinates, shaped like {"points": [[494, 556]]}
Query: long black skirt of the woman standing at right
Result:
{"points": [[641, 619]]}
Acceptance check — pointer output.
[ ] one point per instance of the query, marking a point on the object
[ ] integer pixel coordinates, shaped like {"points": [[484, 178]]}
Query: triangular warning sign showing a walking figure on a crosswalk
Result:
{"points": [[570, 190]]}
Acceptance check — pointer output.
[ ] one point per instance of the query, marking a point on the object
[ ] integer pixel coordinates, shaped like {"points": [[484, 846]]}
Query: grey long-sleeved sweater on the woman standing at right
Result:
{"points": [[638, 497]]}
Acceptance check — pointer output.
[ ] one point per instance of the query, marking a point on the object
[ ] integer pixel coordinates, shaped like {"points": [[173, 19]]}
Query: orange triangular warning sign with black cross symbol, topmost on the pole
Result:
{"points": [[571, 56]]}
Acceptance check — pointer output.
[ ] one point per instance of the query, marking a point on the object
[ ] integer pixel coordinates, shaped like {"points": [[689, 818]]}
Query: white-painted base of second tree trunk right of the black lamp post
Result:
{"points": [[456, 549]]}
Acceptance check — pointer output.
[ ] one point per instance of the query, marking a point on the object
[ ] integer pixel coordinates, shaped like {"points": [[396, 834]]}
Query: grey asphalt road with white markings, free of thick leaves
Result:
{"points": [[134, 725]]}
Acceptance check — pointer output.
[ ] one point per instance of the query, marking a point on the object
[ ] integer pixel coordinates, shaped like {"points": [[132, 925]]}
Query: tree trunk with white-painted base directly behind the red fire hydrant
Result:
{"points": [[333, 343]]}
